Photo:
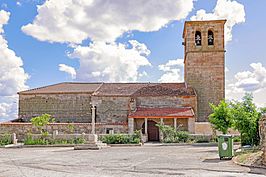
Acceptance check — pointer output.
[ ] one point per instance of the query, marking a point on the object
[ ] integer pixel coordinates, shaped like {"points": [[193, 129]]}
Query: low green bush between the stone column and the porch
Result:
{"points": [[122, 138]]}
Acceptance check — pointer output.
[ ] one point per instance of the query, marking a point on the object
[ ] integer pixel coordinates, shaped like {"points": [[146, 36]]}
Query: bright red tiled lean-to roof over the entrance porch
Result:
{"points": [[182, 112]]}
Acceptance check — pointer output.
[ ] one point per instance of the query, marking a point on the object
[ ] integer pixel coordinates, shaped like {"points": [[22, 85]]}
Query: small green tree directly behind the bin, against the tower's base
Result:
{"points": [[221, 117]]}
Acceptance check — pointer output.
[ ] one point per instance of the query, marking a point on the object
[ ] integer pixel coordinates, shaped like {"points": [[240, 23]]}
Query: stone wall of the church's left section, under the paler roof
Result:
{"points": [[63, 107]]}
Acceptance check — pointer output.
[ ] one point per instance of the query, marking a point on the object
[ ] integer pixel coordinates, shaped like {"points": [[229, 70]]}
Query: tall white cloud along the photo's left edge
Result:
{"points": [[12, 74]]}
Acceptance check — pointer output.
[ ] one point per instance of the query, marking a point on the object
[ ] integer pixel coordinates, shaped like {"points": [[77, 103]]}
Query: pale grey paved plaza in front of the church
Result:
{"points": [[149, 160]]}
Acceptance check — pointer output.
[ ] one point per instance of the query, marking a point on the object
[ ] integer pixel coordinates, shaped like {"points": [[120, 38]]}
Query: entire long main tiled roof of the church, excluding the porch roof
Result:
{"points": [[116, 89]]}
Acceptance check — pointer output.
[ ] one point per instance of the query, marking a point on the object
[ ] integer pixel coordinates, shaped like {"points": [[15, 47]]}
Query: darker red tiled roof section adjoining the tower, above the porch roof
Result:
{"points": [[165, 89]]}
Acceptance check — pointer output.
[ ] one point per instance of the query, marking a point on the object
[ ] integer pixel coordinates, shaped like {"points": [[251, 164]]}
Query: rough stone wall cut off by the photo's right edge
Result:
{"points": [[262, 129]]}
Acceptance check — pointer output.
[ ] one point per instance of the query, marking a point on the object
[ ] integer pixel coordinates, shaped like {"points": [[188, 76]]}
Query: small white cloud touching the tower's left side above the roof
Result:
{"points": [[172, 71]]}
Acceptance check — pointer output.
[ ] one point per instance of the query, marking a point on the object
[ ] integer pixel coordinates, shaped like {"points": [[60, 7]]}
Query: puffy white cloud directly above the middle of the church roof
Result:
{"points": [[110, 62]]}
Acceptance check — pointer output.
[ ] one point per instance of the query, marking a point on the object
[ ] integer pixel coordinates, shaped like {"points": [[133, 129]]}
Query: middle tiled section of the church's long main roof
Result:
{"points": [[119, 89]]}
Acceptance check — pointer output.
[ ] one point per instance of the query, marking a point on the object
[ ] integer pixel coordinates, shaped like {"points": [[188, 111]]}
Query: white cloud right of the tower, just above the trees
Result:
{"points": [[249, 81]]}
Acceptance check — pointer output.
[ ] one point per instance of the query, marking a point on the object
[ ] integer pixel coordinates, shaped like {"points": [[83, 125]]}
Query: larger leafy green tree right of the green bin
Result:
{"points": [[246, 117]]}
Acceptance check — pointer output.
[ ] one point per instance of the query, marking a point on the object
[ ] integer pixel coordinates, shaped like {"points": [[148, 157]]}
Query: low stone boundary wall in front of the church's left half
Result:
{"points": [[22, 129]]}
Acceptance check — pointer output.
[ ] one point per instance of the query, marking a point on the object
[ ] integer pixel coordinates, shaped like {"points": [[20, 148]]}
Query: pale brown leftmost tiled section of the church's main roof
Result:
{"points": [[66, 87]]}
